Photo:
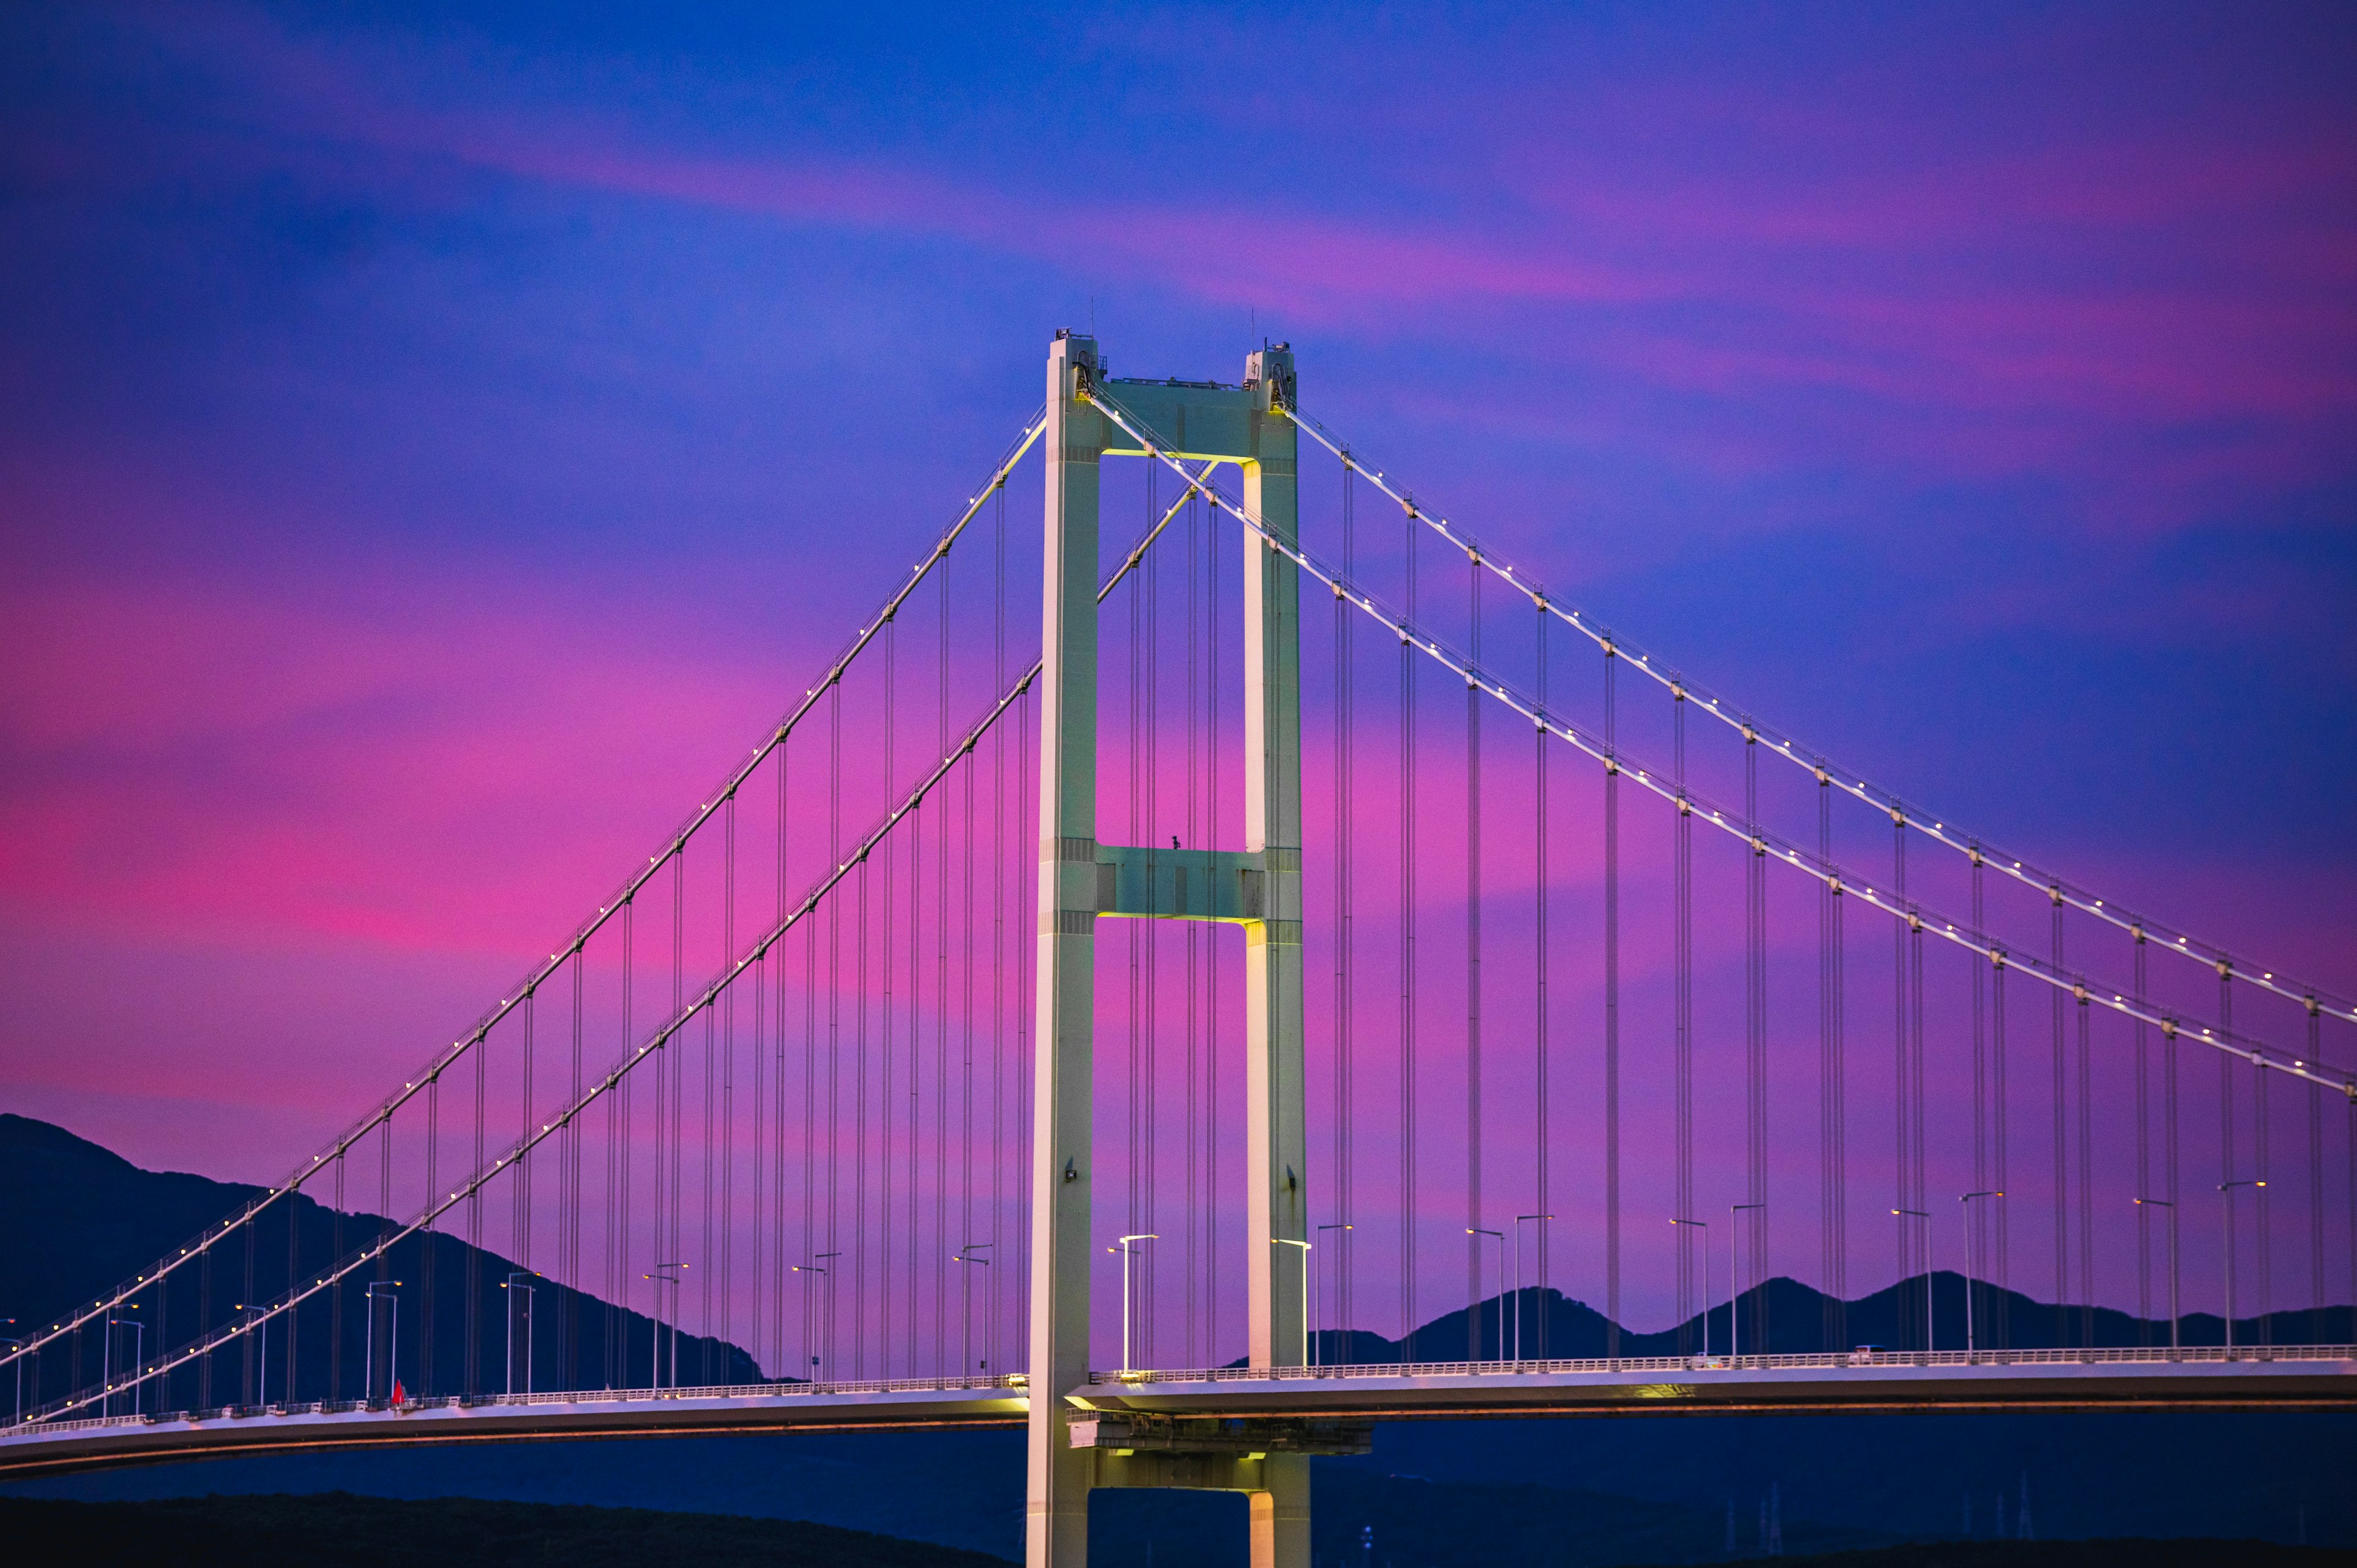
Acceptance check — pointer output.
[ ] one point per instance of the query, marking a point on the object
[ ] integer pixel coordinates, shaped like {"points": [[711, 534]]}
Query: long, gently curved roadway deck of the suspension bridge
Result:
{"points": [[2280, 1378]]}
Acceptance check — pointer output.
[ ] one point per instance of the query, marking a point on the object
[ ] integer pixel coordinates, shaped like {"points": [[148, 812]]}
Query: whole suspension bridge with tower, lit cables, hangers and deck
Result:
{"points": [[1547, 968]]}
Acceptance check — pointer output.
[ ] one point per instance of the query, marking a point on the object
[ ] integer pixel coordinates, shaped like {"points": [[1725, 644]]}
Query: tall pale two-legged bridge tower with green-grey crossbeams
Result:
{"points": [[1083, 881]]}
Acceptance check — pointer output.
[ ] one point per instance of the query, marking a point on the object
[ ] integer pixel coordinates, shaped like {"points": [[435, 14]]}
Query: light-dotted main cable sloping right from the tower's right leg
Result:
{"points": [[1847, 782]]}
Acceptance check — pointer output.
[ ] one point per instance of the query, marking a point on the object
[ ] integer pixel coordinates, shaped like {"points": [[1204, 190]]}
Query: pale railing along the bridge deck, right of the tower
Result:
{"points": [[1738, 1364]]}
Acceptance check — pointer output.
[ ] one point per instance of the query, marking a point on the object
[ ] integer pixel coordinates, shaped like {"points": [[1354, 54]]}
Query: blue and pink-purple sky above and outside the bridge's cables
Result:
{"points": [[435, 447]]}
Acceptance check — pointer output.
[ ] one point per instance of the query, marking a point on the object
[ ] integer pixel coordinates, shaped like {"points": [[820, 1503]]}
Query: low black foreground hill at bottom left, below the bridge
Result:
{"points": [[435, 1534]]}
